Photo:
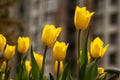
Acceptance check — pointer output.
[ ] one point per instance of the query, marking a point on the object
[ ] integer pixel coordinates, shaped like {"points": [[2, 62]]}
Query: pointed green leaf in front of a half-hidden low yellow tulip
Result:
{"points": [[35, 67]]}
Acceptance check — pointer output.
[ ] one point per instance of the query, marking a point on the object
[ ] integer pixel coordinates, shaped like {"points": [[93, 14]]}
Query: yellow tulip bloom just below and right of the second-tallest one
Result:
{"points": [[59, 50]]}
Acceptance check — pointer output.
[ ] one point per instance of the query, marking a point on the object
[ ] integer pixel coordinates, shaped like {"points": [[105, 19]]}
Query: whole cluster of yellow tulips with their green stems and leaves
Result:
{"points": [[33, 69]]}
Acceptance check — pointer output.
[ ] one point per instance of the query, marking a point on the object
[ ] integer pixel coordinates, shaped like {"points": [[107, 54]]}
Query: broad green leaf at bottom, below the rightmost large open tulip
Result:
{"points": [[91, 71]]}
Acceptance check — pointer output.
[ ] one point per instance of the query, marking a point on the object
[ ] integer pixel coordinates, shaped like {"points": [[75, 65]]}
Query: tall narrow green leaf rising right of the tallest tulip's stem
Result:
{"points": [[83, 59]]}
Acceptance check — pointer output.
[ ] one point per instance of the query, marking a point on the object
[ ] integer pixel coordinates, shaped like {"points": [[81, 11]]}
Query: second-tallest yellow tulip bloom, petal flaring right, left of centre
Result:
{"points": [[50, 34]]}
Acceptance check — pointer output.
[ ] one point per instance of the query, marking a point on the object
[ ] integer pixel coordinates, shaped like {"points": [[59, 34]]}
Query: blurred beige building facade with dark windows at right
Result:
{"points": [[107, 26]]}
